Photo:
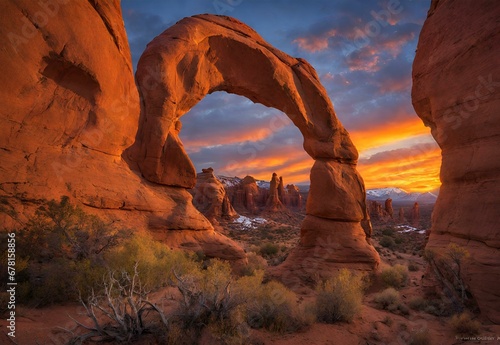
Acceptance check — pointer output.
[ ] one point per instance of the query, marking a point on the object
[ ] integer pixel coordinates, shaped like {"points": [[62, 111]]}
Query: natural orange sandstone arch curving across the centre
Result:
{"points": [[207, 53]]}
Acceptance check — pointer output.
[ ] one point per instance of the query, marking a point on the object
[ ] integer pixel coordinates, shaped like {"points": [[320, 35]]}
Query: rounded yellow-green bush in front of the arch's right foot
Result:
{"points": [[339, 298]]}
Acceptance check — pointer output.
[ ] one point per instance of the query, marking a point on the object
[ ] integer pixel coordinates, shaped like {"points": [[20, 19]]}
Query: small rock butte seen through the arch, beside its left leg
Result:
{"points": [[210, 197]]}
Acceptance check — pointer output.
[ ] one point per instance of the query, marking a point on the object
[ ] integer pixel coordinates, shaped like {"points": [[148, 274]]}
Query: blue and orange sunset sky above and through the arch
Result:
{"points": [[362, 51]]}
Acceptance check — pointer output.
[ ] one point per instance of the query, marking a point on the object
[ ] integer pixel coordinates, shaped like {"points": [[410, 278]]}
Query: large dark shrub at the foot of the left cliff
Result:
{"points": [[62, 253]]}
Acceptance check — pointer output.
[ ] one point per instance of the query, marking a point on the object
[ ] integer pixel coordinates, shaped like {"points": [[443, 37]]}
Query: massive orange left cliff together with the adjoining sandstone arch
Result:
{"points": [[70, 109]]}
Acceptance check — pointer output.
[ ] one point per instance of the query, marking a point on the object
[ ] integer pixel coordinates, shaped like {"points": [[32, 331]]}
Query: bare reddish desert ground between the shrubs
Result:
{"points": [[416, 320]]}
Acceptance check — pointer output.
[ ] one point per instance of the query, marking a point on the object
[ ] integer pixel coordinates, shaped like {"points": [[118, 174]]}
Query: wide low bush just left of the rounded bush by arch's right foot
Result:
{"points": [[271, 306]]}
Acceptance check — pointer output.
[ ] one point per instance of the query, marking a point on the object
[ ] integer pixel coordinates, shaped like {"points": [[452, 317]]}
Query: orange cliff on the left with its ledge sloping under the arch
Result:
{"points": [[70, 108]]}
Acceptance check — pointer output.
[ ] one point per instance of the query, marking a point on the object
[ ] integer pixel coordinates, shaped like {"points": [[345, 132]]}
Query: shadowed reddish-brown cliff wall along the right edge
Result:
{"points": [[456, 92]]}
